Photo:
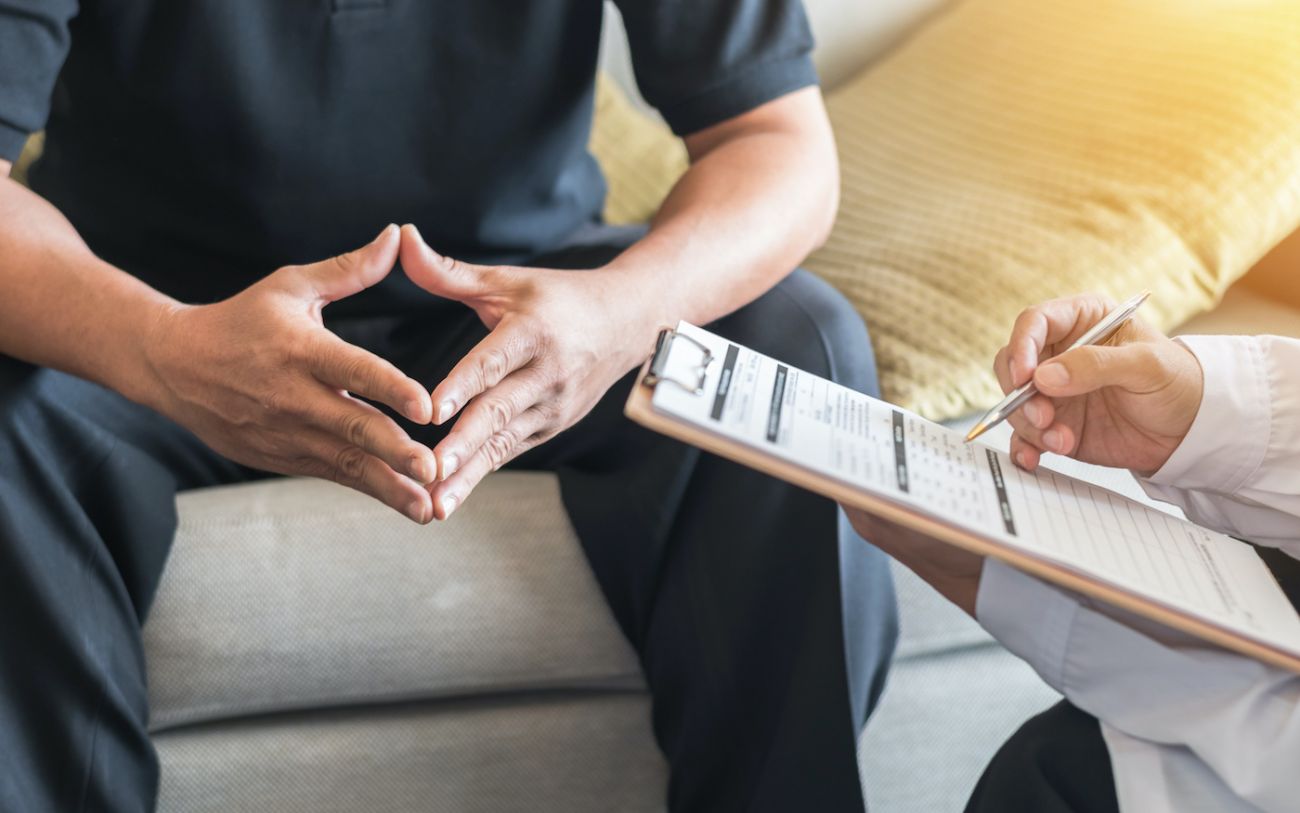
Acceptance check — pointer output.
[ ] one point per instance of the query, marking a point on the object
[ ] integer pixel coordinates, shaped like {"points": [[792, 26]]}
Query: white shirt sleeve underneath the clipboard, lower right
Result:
{"points": [[1240, 717]]}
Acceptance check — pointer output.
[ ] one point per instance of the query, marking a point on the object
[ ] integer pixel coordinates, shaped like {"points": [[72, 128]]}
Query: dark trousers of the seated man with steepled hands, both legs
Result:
{"points": [[733, 587]]}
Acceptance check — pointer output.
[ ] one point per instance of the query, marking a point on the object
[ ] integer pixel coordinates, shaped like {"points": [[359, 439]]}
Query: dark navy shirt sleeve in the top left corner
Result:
{"points": [[34, 42]]}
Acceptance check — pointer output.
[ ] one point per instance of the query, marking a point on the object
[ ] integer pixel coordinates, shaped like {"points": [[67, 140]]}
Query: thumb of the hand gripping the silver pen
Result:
{"points": [[1132, 367]]}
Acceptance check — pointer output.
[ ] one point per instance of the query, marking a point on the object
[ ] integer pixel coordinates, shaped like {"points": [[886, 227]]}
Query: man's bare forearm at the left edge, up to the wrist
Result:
{"points": [[63, 308]]}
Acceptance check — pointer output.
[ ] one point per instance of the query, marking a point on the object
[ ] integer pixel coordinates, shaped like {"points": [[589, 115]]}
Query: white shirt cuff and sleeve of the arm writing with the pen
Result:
{"points": [[1238, 470]]}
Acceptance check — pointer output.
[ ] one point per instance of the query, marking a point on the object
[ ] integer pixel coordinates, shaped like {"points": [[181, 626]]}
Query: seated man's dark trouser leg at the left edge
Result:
{"points": [[88, 487]]}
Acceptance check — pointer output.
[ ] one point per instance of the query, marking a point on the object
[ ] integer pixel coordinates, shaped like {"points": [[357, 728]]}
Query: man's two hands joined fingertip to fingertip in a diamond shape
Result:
{"points": [[292, 397]]}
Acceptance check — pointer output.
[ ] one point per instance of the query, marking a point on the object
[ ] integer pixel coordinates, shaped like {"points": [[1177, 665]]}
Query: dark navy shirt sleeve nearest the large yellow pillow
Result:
{"points": [[704, 62]]}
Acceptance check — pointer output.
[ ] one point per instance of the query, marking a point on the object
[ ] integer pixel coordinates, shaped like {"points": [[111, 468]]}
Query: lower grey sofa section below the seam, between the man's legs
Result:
{"points": [[531, 753]]}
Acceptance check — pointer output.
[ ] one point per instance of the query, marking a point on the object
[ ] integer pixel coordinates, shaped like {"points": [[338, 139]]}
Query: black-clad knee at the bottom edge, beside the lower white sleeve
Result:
{"points": [[1058, 763]]}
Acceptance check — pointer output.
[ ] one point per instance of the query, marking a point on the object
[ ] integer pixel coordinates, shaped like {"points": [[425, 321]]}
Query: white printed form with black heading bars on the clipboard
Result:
{"points": [[882, 449]]}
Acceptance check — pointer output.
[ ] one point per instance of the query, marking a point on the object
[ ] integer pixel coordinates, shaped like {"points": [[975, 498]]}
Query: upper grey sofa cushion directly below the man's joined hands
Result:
{"points": [[301, 594]]}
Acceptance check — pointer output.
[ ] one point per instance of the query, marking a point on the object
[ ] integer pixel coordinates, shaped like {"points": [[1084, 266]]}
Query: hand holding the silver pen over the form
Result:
{"points": [[1128, 404]]}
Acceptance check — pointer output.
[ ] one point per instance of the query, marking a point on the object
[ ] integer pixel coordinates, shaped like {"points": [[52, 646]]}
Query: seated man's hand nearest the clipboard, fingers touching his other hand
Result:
{"points": [[558, 341]]}
